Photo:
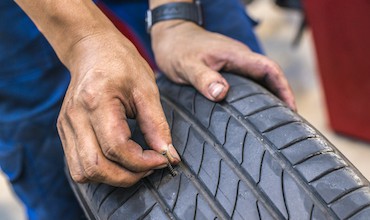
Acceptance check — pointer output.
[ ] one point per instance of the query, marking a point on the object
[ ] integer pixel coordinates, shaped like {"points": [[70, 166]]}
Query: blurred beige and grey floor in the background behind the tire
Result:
{"points": [[276, 30]]}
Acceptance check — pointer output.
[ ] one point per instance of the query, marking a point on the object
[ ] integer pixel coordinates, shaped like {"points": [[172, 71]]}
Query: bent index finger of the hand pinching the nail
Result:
{"points": [[114, 137]]}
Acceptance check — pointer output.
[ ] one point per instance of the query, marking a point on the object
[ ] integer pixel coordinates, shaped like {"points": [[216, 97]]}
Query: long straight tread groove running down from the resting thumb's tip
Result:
{"points": [[281, 159]]}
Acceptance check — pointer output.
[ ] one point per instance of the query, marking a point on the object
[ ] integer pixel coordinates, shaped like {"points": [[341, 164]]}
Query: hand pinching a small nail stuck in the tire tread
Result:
{"points": [[110, 83]]}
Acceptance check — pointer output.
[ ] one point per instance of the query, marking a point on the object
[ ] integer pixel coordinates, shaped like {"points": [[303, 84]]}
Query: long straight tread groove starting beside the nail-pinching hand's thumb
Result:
{"points": [[244, 176]]}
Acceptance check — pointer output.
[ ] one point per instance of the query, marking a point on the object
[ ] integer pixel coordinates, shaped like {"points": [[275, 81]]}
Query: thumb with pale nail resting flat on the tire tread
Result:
{"points": [[208, 82]]}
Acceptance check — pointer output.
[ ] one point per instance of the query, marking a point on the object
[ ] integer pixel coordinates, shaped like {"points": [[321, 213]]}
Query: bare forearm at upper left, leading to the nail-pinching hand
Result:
{"points": [[66, 22]]}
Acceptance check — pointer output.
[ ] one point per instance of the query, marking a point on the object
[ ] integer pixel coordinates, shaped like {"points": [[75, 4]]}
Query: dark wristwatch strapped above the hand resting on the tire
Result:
{"points": [[175, 10]]}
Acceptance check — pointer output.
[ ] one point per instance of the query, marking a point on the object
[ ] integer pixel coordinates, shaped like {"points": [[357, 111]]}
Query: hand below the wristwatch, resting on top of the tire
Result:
{"points": [[188, 54]]}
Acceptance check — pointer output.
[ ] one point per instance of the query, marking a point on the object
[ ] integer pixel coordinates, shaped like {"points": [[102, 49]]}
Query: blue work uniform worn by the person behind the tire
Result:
{"points": [[32, 86]]}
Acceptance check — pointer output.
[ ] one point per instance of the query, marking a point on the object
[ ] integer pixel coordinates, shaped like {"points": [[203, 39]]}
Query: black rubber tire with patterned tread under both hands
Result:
{"points": [[248, 157]]}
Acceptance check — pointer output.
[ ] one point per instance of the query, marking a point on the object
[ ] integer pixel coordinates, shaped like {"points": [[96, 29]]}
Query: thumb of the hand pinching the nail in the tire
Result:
{"points": [[154, 126]]}
